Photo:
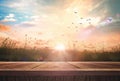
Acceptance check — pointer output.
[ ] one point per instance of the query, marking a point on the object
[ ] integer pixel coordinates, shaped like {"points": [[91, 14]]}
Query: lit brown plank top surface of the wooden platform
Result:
{"points": [[60, 66]]}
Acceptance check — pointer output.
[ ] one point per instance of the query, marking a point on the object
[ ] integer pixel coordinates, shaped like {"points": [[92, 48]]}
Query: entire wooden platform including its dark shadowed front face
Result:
{"points": [[59, 71]]}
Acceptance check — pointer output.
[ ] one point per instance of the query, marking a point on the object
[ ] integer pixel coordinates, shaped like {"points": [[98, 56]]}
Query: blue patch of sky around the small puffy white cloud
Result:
{"points": [[6, 9]]}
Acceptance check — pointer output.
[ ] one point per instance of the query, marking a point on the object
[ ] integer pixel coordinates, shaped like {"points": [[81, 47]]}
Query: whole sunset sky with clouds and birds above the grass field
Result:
{"points": [[60, 21]]}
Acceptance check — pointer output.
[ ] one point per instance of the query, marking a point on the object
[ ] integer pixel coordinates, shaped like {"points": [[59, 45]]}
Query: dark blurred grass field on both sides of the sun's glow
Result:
{"points": [[9, 52]]}
